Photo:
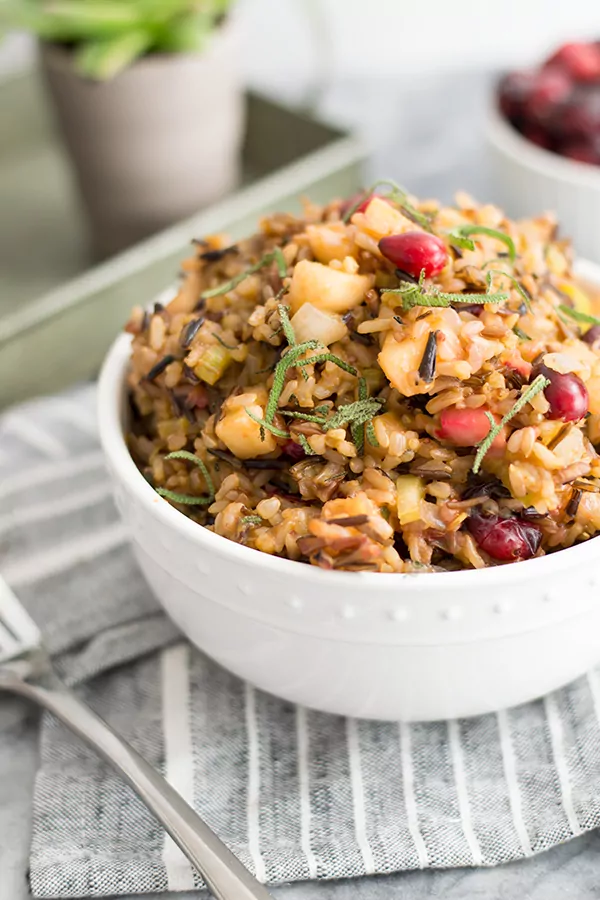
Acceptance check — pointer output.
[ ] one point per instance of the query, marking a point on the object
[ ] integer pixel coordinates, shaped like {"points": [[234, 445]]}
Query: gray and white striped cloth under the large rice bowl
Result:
{"points": [[295, 793]]}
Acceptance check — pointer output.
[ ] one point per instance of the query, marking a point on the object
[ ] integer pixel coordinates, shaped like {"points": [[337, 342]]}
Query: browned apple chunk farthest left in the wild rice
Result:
{"points": [[238, 431]]}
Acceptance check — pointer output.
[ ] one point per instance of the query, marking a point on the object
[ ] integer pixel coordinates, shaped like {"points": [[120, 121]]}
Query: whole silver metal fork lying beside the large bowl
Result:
{"points": [[25, 669]]}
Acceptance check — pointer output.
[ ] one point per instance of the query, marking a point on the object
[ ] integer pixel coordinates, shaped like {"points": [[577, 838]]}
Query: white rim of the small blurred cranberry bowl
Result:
{"points": [[505, 137]]}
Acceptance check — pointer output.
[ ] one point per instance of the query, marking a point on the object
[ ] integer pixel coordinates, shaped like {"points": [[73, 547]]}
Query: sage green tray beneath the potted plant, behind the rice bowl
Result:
{"points": [[57, 319]]}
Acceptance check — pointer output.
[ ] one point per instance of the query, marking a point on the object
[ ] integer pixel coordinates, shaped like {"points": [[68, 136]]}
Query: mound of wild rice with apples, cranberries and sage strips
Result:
{"points": [[380, 384]]}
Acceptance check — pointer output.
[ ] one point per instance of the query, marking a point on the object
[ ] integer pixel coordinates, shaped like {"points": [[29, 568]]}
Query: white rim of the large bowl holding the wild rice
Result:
{"points": [[123, 468]]}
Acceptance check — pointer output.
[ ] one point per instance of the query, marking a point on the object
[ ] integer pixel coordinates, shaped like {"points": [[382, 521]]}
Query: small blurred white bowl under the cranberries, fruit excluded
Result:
{"points": [[528, 179]]}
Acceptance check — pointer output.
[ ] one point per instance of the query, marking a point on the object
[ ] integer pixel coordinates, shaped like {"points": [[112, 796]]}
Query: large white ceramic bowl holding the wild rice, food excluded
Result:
{"points": [[402, 647]]}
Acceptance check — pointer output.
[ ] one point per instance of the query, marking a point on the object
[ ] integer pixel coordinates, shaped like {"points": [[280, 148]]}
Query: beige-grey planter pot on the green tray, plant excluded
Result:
{"points": [[155, 144]]}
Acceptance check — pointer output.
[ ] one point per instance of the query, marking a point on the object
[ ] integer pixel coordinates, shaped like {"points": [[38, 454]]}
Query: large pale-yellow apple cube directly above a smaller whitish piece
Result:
{"points": [[331, 290]]}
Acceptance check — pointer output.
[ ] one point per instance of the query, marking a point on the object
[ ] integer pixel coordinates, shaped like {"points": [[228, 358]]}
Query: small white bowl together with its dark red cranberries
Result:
{"points": [[544, 138]]}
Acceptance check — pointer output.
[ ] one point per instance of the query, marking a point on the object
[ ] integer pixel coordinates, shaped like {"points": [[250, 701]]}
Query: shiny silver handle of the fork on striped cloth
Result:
{"points": [[224, 874]]}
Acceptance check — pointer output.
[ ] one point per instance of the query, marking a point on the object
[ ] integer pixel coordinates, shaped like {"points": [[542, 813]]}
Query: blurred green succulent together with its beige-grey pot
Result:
{"points": [[148, 97]]}
